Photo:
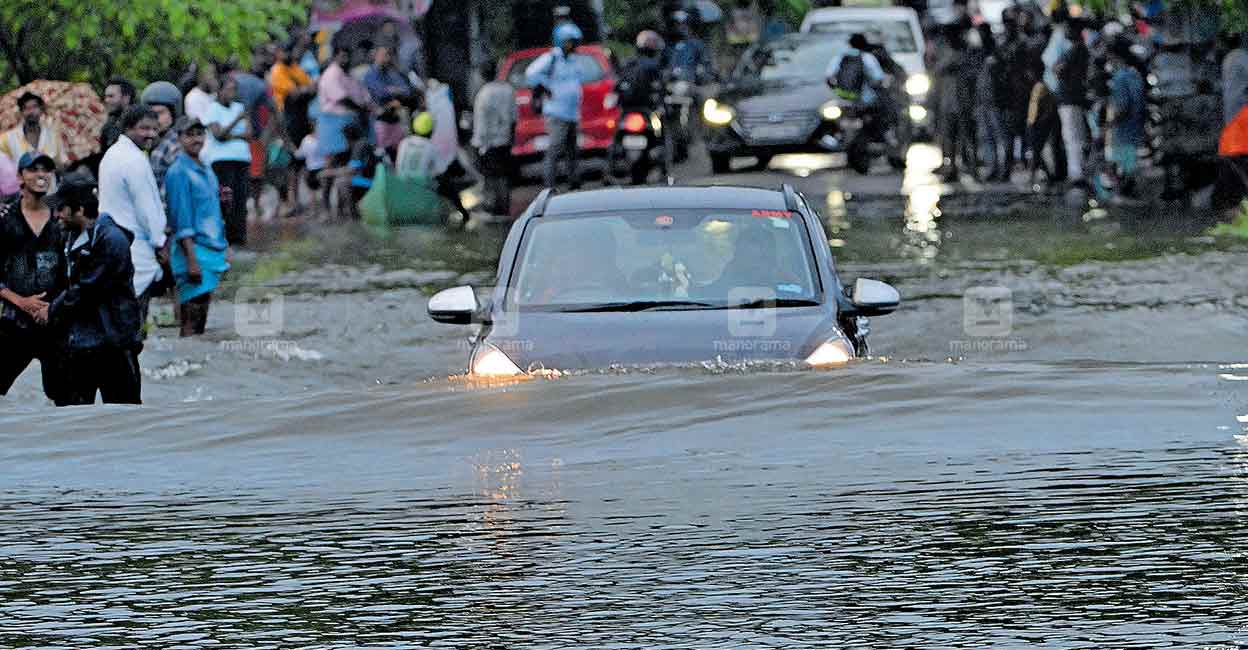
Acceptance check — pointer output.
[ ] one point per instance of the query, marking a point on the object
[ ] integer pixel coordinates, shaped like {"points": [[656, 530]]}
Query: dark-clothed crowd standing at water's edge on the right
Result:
{"points": [[1061, 98]]}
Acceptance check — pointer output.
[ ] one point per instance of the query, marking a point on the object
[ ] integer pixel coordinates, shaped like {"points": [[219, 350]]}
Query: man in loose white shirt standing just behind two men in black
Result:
{"points": [[129, 194]]}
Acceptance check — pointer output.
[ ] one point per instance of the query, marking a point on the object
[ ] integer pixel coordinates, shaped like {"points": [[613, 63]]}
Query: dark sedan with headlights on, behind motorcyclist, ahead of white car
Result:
{"points": [[778, 102]]}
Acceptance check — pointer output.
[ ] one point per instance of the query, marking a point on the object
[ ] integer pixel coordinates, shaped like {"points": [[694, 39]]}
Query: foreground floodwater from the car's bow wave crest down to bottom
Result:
{"points": [[883, 506]]}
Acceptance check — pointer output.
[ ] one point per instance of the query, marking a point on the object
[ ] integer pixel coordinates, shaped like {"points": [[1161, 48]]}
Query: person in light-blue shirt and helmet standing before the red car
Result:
{"points": [[557, 79]]}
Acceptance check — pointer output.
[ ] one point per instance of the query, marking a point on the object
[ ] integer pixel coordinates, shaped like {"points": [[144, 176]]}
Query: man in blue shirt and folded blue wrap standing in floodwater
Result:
{"points": [[199, 259]]}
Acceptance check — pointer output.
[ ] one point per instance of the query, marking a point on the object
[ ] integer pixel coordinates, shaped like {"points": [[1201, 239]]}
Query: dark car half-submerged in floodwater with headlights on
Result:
{"points": [[661, 276]]}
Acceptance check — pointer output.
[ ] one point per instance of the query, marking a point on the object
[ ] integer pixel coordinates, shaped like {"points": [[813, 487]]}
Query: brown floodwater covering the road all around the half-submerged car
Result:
{"points": [[1081, 481]]}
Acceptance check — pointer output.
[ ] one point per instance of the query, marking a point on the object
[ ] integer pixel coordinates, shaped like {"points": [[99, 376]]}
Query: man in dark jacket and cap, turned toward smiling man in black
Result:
{"points": [[98, 318]]}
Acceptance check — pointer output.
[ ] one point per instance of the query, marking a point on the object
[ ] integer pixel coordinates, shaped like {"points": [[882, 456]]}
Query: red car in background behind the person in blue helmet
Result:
{"points": [[600, 105]]}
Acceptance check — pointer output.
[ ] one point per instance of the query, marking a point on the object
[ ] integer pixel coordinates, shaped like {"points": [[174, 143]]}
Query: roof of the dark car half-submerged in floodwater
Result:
{"points": [[666, 198]]}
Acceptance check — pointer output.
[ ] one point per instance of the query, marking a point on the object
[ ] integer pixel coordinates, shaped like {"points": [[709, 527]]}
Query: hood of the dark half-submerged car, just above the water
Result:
{"points": [[588, 341]]}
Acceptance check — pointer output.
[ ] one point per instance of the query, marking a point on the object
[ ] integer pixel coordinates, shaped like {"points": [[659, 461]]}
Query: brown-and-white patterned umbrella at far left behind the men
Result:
{"points": [[74, 109]]}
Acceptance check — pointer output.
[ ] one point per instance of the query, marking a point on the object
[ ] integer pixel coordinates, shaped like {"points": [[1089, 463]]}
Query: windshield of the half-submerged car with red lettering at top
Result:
{"points": [[665, 260]]}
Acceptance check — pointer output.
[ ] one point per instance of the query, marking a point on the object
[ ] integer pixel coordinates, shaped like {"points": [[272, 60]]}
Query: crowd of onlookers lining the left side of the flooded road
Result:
{"points": [[85, 245]]}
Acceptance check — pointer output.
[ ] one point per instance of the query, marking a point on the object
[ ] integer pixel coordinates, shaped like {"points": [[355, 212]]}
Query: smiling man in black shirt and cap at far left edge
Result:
{"points": [[32, 275]]}
